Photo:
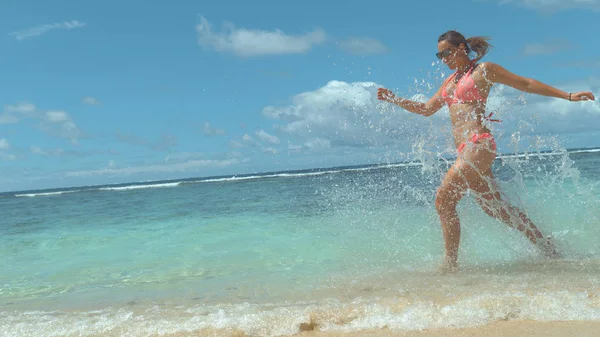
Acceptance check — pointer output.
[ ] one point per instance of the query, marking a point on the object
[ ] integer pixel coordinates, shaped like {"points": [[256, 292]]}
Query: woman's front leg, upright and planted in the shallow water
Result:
{"points": [[468, 172]]}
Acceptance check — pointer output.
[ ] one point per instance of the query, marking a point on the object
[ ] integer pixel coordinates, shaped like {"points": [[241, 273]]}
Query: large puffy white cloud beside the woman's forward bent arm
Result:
{"points": [[347, 114]]}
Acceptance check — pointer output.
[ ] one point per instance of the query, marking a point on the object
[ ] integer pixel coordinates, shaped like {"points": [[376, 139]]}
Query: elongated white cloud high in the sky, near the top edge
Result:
{"points": [[255, 42]]}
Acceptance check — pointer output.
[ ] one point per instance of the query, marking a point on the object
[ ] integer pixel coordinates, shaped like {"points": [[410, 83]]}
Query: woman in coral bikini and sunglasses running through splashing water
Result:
{"points": [[466, 92]]}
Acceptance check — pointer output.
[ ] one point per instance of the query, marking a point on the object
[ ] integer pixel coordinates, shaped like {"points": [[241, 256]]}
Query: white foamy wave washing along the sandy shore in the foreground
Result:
{"points": [[331, 315]]}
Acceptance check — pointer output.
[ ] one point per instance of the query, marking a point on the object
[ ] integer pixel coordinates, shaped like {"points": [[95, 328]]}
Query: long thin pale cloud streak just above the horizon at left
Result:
{"points": [[186, 166]]}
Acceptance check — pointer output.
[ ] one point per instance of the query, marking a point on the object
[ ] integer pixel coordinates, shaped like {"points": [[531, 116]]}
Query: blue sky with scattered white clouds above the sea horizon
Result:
{"points": [[108, 92]]}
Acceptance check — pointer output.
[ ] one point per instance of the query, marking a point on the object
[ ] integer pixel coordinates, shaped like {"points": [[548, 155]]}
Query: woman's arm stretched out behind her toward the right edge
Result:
{"points": [[497, 74]]}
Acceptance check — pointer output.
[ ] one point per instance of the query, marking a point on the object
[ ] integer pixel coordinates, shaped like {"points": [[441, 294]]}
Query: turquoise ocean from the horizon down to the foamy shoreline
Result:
{"points": [[341, 249]]}
